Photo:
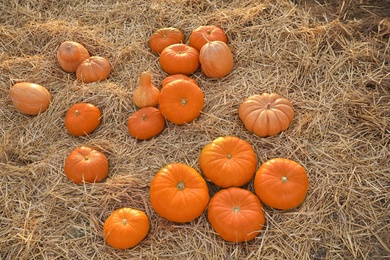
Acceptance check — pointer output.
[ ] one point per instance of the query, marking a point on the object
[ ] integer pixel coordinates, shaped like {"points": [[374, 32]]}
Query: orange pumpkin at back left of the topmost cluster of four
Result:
{"points": [[165, 37]]}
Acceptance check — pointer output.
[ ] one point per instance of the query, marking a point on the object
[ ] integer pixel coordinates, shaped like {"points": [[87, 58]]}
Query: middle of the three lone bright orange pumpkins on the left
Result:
{"points": [[86, 164]]}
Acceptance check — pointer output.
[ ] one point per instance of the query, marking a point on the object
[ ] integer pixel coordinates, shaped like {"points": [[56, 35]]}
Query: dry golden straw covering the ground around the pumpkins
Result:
{"points": [[330, 59]]}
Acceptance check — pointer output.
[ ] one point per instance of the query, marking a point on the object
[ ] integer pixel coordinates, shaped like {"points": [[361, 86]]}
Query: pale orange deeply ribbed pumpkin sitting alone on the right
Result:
{"points": [[266, 114]]}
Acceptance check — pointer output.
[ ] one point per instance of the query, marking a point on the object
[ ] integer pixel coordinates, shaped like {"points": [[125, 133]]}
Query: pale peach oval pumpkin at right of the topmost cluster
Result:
{"points": [[216, 59]]}
